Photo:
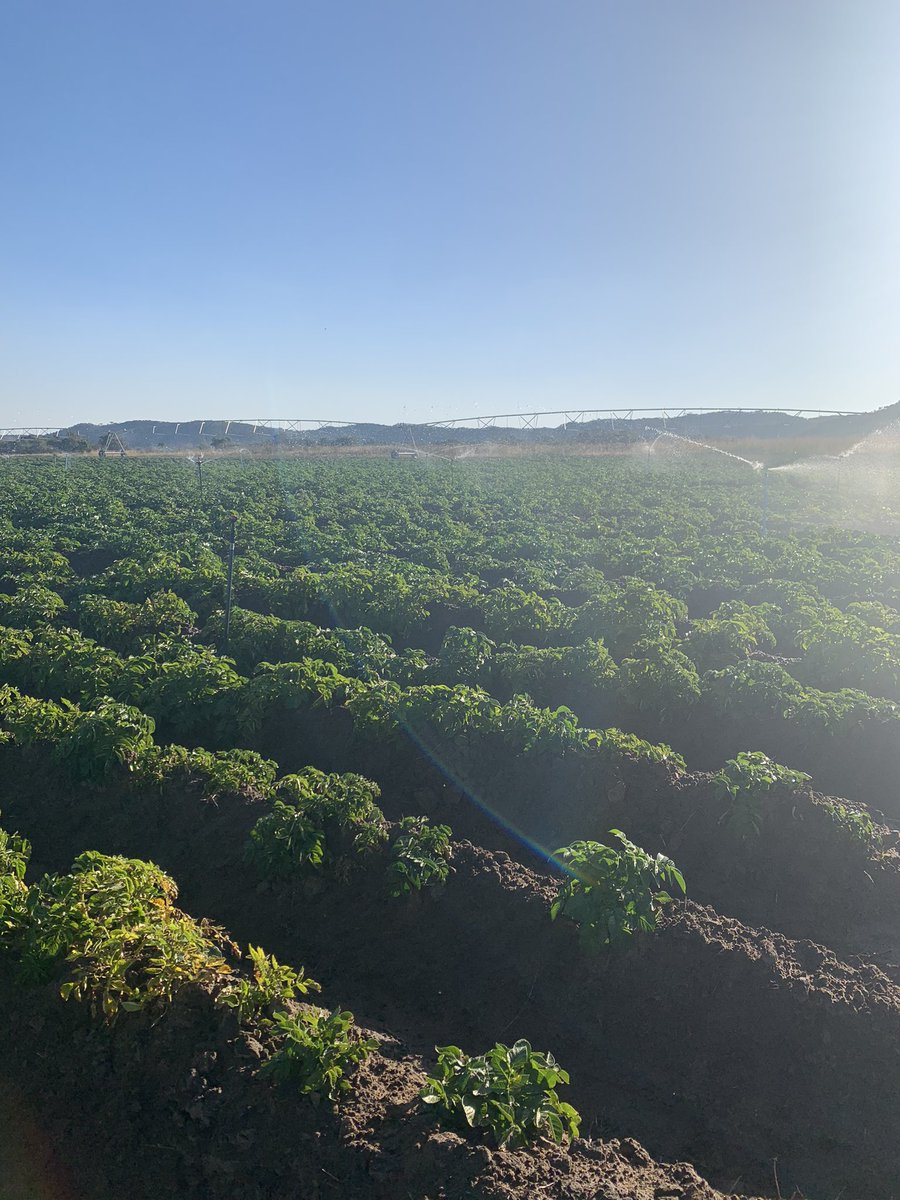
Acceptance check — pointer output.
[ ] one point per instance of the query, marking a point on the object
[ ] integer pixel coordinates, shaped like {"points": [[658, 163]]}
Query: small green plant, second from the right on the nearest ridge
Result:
{"points": [[316, 1051]]}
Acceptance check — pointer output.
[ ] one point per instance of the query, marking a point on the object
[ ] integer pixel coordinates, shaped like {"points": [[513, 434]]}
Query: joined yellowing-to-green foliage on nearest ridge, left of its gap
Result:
{"points": [[110, 933]]}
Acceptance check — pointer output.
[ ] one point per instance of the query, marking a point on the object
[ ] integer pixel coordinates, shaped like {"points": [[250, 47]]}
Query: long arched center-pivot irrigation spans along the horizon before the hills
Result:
{"points": [[544, 419]]}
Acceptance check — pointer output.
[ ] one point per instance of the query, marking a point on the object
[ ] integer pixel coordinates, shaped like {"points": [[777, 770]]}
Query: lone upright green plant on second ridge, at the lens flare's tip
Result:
{"points": [[614, 893]]}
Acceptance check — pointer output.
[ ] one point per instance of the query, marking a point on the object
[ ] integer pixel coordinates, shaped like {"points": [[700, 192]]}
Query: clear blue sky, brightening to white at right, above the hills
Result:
{"points": [[416, 209]]}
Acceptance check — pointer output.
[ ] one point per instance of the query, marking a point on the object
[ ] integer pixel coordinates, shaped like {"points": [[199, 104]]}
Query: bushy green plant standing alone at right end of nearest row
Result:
{"points": [[511, 1093]]}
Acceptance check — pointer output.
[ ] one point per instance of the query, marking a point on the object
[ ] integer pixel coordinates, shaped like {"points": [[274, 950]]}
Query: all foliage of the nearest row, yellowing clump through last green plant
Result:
{"points": [[109, 934]]}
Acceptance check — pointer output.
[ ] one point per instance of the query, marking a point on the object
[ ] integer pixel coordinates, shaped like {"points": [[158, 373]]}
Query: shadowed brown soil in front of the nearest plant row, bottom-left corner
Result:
{"points": [[171, 1107]]}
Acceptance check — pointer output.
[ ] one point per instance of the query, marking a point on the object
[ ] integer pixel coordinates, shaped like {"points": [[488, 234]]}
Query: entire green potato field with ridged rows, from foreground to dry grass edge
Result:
{"points": [[523, 829]]}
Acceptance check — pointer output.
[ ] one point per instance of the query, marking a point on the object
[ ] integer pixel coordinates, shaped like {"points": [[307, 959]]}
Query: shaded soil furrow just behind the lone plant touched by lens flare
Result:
{"points": [[800, 875]]}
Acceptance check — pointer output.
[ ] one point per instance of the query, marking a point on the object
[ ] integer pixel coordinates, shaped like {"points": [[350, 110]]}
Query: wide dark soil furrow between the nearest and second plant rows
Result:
{"points": [[712, 1042]]}
